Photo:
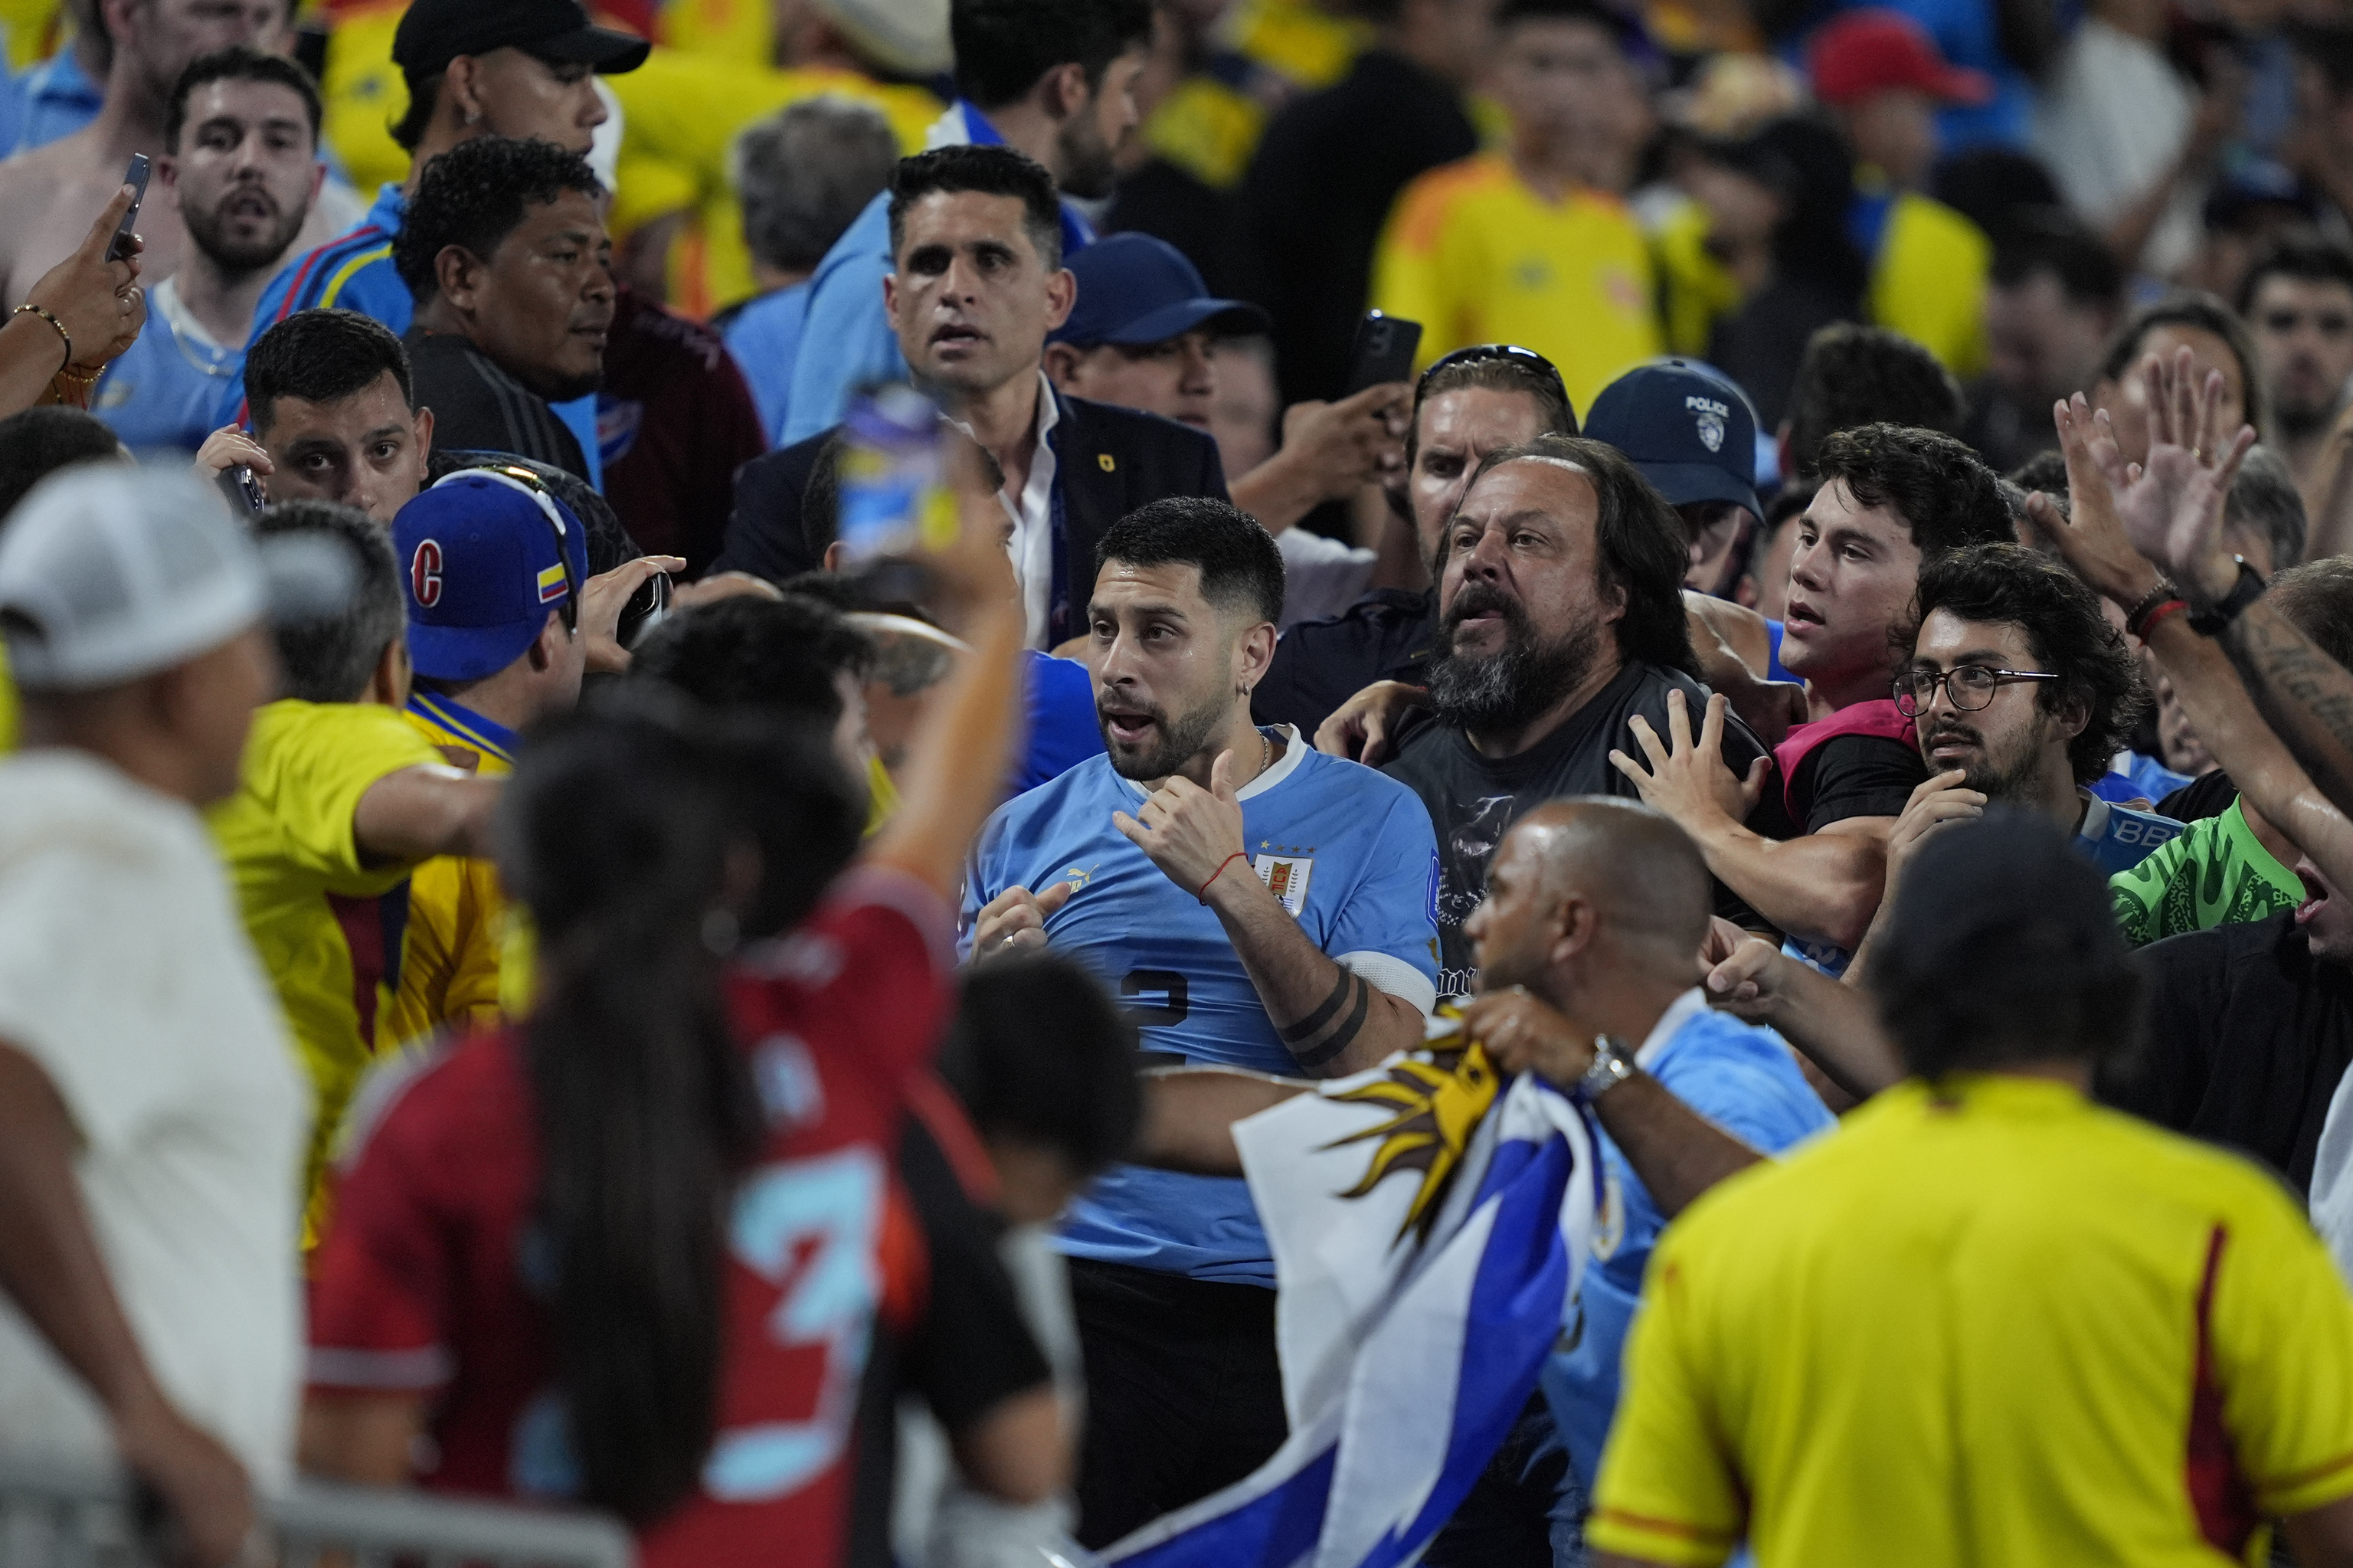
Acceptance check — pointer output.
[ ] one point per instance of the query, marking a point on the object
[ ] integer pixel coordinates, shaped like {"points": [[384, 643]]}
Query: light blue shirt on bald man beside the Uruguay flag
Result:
{"points": [[1742, 1079]]}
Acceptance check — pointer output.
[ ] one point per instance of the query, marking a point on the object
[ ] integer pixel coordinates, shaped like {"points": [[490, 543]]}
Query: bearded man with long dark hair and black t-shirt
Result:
{"points": [[1561, 620]]}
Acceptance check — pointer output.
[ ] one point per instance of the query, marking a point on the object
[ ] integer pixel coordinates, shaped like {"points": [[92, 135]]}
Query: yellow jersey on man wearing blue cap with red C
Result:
{"points": [[458, 908]]}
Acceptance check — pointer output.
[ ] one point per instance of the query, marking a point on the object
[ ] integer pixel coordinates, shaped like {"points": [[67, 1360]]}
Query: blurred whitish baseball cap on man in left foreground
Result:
{"points": [[112, 573]]}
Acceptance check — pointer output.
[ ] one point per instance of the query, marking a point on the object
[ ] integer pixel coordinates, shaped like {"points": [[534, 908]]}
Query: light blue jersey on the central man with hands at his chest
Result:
{"points": [[1347, 851]]}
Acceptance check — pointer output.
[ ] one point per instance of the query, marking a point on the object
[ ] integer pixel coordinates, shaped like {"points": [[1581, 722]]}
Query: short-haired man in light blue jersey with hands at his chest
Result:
{"points": [[1255, 905]]}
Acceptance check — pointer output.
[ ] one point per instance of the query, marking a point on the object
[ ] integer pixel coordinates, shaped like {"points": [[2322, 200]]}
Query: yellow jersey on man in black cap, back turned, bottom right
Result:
{"points": [[1982, 1324]]}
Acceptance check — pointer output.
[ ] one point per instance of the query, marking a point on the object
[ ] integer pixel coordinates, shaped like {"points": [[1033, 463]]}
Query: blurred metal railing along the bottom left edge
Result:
{"points": [[69, 1517]]}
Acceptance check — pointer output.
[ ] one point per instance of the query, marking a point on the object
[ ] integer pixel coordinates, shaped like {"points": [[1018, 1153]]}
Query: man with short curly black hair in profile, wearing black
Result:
{"points": [[505, 253]]}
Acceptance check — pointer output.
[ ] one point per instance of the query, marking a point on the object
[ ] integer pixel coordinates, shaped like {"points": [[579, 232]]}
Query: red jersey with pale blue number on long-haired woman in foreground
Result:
{"points": [[434, 1277]]}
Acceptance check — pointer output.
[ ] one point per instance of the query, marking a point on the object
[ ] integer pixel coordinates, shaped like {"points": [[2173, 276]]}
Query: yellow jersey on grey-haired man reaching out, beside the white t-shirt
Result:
{"points": [[326, 924]]}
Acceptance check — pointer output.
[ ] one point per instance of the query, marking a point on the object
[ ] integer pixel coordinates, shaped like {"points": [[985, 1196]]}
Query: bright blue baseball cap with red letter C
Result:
{"points": [[486, 554]]}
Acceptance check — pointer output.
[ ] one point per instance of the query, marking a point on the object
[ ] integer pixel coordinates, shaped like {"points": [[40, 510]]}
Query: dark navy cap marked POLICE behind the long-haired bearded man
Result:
{"points": [[1686, 427]]}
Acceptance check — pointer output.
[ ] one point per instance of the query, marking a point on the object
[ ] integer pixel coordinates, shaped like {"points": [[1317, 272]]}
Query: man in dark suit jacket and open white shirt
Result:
{"points": [[978, 286]]}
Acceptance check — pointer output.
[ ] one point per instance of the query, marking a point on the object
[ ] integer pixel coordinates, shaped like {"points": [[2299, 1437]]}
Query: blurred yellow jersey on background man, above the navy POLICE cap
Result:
{"points": [[1477, 258]]}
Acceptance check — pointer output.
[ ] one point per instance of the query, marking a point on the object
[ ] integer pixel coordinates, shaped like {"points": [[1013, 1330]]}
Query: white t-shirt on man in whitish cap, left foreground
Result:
{"points": [[128, 978]]}
